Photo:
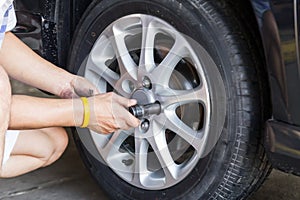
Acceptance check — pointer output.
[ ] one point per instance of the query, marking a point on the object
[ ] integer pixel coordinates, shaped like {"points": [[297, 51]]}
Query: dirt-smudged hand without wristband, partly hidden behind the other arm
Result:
{"points": [[79, 87]]}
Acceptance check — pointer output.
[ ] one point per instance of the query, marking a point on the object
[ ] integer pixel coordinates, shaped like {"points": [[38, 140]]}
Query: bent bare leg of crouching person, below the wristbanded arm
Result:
{"points": [[35, 149]]}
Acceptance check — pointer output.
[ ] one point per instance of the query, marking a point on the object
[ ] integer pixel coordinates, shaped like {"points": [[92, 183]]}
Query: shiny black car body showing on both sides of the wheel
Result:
{"points": [[48, 28]]}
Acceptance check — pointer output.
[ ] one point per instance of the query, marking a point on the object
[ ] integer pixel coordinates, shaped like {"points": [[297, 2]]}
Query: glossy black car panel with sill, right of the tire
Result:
{"points": [[278, 23]]}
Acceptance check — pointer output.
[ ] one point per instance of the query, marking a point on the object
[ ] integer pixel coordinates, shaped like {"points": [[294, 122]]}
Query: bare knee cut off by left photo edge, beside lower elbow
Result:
{"points": [[5, 101]]}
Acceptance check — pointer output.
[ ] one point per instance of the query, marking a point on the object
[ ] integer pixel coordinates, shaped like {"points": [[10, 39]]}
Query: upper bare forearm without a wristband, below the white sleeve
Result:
{"points": [[23, 64]]}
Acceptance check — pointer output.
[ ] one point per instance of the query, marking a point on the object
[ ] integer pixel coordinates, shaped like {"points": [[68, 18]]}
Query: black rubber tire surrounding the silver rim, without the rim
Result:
{"points": [[238, 164]]}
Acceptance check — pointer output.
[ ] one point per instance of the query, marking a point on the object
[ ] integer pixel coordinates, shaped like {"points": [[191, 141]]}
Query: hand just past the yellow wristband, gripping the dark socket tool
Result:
{"points": [[109, 112]]}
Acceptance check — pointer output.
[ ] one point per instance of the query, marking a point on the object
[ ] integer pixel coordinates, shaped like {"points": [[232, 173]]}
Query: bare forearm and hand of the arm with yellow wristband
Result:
{"points": [[108, 113]]}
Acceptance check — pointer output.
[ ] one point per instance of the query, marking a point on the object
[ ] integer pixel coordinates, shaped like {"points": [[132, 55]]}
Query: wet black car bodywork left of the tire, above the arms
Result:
{"points": [[47, 26]]}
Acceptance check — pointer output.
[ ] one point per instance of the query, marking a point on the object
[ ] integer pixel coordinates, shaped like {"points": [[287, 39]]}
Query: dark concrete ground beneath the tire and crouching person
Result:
{"points": [[67, 179]]}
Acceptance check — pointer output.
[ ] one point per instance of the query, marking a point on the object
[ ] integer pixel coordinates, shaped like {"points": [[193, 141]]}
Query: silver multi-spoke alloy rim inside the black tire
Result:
{"points": [[143, 57]]}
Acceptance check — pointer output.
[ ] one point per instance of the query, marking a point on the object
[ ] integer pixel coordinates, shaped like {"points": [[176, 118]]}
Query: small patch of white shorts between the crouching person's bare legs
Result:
{"points": [[11, 137]]}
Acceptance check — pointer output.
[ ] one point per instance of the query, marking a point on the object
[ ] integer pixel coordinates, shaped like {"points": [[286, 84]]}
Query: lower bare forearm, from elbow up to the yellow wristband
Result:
{"points": [[32, 113]]}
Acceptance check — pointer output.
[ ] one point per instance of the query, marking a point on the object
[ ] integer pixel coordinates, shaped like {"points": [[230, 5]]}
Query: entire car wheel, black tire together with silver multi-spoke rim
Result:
{"points": [[206, 143]]}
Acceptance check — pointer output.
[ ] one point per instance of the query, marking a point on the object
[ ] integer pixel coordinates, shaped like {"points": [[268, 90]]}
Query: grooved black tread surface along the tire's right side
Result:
{"points": [[249, 158]]}
